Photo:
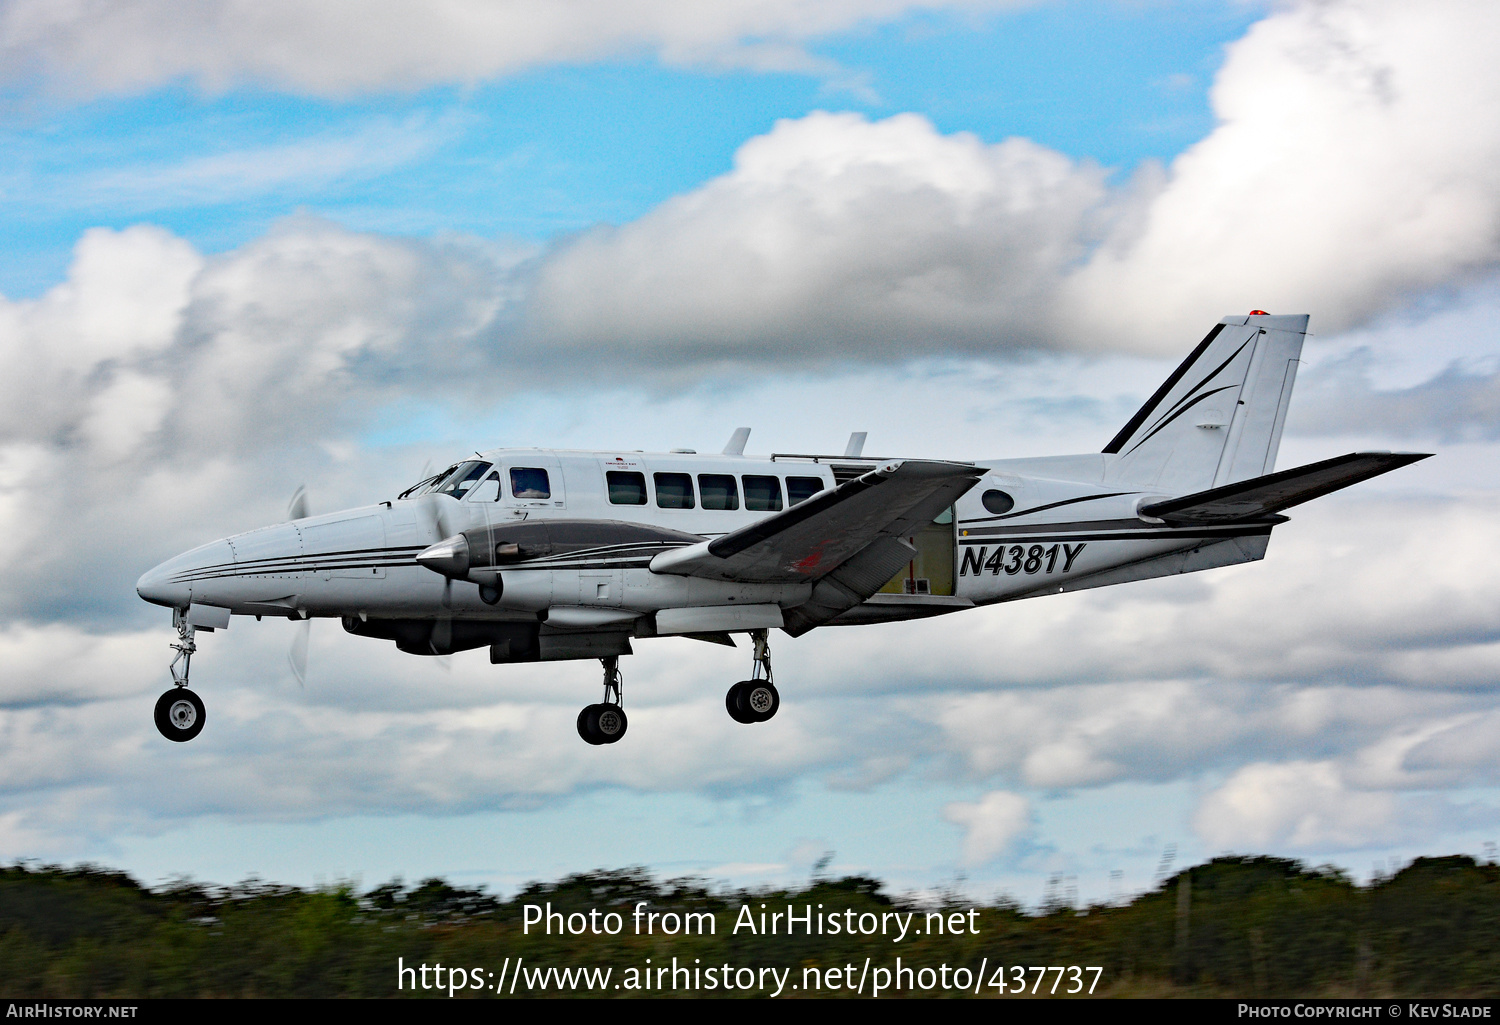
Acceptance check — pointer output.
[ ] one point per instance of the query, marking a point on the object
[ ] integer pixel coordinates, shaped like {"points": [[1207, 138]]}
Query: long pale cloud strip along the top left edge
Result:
{"points": [[344, 49]]}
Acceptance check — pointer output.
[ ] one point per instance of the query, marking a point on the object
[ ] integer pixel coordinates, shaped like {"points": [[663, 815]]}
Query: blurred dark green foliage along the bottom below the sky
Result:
{"points": [[1232, 927]]}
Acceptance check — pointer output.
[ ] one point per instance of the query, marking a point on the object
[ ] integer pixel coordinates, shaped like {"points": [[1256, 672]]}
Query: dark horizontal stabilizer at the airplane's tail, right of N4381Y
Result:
{"points": [[1268, 496]]}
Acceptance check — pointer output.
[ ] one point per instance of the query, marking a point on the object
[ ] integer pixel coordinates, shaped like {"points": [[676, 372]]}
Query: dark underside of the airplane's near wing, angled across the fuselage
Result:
{"points": [[812, 540]]}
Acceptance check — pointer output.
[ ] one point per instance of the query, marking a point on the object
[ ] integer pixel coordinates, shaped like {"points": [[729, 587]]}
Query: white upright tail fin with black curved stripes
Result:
{"points": [[1219, 418]]}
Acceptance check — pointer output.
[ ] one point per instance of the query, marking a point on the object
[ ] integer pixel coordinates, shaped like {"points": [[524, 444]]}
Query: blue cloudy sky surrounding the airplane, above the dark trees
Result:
{"points": [[251, 248]]}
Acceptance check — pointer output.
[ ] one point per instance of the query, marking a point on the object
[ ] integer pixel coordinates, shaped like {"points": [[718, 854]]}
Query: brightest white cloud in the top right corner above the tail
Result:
{"points": [[1349, 172]]}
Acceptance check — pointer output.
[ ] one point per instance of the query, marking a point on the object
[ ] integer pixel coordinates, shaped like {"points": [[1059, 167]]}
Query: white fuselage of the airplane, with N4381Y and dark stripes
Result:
{"points": [[571, 538]]}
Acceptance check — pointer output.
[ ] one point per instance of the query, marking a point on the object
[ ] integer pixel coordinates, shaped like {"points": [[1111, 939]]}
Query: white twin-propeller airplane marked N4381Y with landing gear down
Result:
{"points": [[545, 556]]}
